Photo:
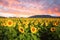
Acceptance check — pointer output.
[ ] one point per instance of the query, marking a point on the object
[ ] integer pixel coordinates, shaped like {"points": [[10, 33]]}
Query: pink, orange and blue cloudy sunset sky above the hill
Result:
{"points": [[28, 8]]}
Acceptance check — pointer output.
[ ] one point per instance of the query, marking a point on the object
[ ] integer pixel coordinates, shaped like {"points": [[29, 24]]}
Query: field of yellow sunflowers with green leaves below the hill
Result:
{"points": [[29, 28]]}
